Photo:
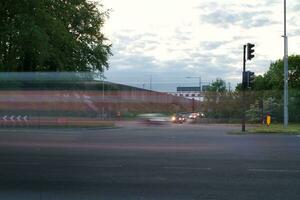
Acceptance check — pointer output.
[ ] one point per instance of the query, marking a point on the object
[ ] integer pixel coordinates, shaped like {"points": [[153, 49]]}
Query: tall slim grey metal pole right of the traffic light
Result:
{"points": [[286, 111]]}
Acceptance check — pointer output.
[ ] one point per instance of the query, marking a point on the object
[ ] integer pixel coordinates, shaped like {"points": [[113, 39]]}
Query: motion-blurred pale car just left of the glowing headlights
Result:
{"points": [[154, 118]]}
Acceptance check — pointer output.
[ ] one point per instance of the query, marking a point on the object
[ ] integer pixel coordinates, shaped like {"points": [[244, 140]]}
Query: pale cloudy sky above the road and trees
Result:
{"points": [[164, 41]]}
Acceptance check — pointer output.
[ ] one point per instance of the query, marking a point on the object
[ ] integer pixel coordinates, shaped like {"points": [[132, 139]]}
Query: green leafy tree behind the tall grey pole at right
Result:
{"points": [[270, 86]]}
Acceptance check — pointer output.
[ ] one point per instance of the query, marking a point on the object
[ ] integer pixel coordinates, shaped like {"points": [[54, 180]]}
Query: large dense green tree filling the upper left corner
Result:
{"points": [[56, 35]]}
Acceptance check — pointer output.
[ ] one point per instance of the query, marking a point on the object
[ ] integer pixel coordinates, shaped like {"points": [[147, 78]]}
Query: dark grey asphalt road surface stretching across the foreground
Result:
{"points": [[148, 162]]}
